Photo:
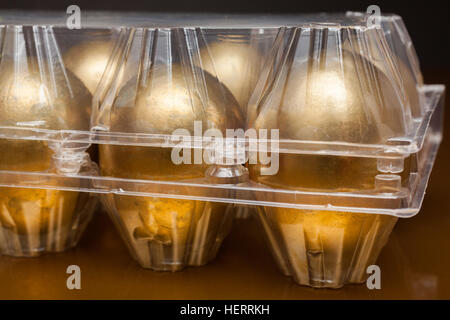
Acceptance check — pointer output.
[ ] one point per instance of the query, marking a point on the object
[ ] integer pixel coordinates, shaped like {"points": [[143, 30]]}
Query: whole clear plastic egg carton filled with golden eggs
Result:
{"points": [[320, 122]]}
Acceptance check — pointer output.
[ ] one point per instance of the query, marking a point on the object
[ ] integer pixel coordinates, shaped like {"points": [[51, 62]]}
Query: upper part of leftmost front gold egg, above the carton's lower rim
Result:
{"points": [[27, 100]]}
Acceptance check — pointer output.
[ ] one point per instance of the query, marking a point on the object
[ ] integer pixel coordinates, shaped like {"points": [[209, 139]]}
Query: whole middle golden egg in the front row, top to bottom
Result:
{"points": [[166, 104]]}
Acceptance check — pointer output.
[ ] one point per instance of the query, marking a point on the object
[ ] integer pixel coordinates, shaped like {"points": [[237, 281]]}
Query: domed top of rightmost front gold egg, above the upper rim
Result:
{"points": [[333, 104]]}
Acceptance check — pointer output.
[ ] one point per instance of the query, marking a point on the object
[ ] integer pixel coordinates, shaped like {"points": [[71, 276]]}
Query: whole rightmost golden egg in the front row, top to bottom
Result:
{"points": [[325, 248]]}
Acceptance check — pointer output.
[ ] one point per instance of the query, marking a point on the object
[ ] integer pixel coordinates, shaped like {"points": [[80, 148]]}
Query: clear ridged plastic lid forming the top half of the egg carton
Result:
{"points": [[370, 75]]}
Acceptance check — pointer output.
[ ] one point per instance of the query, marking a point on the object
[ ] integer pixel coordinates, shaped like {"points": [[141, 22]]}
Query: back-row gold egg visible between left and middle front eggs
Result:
{"points": [[88, 61]]}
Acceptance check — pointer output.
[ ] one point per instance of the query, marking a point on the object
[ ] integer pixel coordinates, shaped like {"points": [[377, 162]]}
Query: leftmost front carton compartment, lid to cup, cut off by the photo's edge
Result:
{"points": [[43, 104]]}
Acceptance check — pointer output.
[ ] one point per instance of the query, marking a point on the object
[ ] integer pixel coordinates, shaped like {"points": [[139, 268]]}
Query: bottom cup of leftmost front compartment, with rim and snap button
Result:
{"points": [[39, 213]]}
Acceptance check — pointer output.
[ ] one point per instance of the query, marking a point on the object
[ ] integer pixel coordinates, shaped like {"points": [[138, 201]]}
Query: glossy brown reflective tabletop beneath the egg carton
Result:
{"points": [[415, 264]]}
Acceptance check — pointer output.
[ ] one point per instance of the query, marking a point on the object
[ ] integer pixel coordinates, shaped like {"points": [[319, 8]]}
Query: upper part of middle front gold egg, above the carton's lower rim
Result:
{"points": [[165, 105]]}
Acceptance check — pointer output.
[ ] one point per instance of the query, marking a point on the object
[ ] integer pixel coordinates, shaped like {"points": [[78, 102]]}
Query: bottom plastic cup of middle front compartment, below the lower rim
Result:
{"points": [[169, 234]]}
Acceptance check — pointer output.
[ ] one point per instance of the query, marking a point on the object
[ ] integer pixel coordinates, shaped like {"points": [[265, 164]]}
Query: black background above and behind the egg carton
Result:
{"points": [[428, 21]]}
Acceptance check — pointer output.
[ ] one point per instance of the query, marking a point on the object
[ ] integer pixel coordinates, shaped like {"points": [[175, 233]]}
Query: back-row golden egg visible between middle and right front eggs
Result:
{"points": [[236, 65]]}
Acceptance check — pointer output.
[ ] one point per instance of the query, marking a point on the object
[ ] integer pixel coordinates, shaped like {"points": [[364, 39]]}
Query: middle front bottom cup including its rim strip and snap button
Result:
{"points": [[167, 232]]}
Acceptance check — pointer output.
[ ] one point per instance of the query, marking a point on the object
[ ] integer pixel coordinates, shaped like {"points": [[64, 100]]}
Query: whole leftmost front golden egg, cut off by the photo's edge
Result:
{"points": [[35, 220]]}
